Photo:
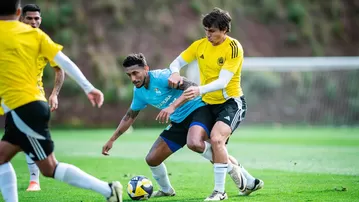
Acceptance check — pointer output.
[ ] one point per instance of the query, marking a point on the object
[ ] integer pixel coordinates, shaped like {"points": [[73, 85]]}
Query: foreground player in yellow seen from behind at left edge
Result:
{"points": [[26, 108]]}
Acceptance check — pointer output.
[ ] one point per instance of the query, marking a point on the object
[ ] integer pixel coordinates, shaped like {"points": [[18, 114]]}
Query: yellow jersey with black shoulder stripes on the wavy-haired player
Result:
{"points": [[211, 60]]}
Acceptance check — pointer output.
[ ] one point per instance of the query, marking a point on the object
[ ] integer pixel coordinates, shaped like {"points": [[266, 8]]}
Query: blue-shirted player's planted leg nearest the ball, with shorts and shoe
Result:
{"points": [[171, 139]]}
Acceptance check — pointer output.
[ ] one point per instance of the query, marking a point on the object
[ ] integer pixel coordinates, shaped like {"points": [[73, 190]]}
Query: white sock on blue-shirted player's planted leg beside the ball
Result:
{"points": [[159, 173]]}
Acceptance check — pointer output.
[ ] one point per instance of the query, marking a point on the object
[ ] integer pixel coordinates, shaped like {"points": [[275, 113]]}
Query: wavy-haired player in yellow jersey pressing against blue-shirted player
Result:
{"points": [[220, 59]]}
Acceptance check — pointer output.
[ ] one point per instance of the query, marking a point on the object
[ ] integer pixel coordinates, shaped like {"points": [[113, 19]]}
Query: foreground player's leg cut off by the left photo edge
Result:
{"points": [[8, 181]]}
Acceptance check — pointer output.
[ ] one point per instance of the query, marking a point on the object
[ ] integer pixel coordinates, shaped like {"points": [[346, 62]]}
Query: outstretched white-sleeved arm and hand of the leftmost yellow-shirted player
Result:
{"points": [[94, 95]]}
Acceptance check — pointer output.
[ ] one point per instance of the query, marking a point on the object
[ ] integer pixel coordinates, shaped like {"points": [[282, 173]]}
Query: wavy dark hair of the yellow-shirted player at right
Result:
{"points": [[217, 18]]}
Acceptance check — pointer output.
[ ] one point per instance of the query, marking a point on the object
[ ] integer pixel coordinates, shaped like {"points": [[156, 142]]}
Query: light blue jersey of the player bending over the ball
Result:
{"points": [[160, 95]]}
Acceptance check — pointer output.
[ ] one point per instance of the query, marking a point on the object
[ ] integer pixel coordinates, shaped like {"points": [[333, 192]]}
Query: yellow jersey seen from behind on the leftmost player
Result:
{"points": [[20, 48]]}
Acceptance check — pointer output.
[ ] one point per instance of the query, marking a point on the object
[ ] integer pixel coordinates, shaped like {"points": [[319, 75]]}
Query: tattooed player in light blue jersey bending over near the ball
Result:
{"points": [[186, 127]]}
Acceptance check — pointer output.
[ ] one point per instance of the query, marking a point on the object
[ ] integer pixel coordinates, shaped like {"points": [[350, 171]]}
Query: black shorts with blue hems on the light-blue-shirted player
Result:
{"points": [[175, 135]]}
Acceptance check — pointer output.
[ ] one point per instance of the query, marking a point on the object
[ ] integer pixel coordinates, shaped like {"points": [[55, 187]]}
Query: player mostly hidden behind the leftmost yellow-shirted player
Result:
{"points": [[31, 15]]}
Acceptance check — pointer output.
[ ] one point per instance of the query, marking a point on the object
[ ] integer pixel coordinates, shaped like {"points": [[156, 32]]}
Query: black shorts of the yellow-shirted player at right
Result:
{"points": [[231, 112]]}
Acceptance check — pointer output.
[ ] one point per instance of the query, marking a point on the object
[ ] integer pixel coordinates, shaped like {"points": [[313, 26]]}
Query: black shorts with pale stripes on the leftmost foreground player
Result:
{"points": [[27, 126]]}
